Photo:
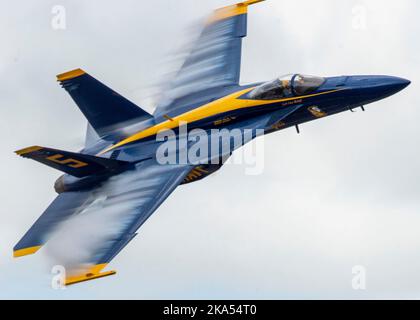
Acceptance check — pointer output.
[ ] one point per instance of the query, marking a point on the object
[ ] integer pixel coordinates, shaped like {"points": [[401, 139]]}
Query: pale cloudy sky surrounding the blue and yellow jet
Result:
{"points": [[343, 193]]}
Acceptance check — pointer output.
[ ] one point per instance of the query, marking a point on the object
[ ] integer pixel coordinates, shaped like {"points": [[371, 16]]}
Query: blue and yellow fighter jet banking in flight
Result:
{"points": [[205, 93]]}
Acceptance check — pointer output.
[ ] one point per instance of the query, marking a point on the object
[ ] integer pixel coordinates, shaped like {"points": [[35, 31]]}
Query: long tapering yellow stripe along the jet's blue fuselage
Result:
{"points": [[222, 105]]}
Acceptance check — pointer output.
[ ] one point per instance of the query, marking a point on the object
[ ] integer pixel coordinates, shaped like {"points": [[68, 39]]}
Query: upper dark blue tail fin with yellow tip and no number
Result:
{"points": [[105, 109]]}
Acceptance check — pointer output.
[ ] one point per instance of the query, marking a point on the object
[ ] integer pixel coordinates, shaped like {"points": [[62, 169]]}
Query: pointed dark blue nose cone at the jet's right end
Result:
{"points": [[374, 88]]}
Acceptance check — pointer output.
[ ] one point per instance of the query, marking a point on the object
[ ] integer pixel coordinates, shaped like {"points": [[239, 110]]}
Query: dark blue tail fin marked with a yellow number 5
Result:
{"points": [[75, 164]]}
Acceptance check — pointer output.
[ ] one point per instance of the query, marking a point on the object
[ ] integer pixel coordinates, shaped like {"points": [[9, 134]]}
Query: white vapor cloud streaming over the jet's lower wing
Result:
{"points": [[120, 205]]}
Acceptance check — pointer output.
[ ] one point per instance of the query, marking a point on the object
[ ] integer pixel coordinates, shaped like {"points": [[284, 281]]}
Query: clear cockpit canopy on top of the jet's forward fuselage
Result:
{"points": [[286, 86]]}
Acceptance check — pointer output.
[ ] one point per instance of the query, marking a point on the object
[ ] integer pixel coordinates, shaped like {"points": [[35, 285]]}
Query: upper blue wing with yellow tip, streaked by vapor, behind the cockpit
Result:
{"points": [[214, 61]]}
